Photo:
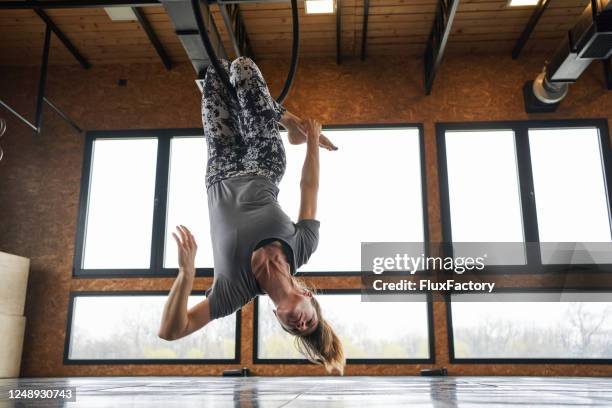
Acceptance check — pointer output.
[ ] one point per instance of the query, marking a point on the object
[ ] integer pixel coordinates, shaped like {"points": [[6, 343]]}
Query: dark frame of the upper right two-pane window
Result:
{"points": [[526, 186]]}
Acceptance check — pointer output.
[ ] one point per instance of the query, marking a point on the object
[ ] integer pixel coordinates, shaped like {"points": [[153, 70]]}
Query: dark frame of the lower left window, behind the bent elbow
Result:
{"points": [[135, 293]]}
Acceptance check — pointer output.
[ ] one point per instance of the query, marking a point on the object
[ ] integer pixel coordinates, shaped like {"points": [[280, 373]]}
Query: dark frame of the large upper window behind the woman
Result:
{"points": [[164, 137]]}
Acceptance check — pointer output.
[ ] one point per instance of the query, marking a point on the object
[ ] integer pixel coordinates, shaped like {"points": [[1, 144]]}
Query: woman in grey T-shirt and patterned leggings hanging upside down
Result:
{"points": [[256, 247]]}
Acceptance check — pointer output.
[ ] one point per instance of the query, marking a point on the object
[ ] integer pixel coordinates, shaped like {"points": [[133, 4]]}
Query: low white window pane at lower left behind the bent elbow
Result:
{"points": [[125, 328]]}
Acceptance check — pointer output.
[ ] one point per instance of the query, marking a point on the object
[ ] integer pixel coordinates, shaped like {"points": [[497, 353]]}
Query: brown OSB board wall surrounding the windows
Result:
{"points": [[40, 176]]}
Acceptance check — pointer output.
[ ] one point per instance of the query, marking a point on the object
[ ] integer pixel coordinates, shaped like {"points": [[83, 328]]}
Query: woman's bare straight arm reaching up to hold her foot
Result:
{"points": [[309, 184]]}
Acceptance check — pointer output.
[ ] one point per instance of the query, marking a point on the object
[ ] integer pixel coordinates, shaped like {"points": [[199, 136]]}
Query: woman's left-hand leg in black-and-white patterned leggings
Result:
{"points": [[221, 124]]}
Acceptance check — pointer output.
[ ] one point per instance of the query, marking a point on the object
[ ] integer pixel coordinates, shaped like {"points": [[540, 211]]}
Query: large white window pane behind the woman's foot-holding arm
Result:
{"points": [[370, 191]]}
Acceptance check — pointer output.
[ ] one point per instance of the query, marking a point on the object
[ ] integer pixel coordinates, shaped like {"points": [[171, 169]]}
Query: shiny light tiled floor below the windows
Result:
{"points": [[294, 392]]}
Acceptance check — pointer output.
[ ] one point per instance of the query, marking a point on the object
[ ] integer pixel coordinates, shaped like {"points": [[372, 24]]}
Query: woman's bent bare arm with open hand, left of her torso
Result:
{"points": [[177, 321]]}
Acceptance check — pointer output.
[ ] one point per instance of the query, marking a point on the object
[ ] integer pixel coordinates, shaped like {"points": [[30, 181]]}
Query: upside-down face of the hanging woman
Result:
{"points": [[297, 315]]}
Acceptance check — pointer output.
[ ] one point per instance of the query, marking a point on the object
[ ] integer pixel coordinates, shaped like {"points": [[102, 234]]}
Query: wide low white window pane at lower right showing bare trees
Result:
{"points": [[532, 329]]}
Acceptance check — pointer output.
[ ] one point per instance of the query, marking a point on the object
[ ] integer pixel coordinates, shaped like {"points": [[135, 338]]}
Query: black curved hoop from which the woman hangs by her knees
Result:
{"points": [[195, 4]]}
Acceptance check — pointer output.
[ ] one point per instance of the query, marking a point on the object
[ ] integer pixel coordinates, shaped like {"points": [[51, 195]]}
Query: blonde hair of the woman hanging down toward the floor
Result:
{"points": [[322, 346]]}
